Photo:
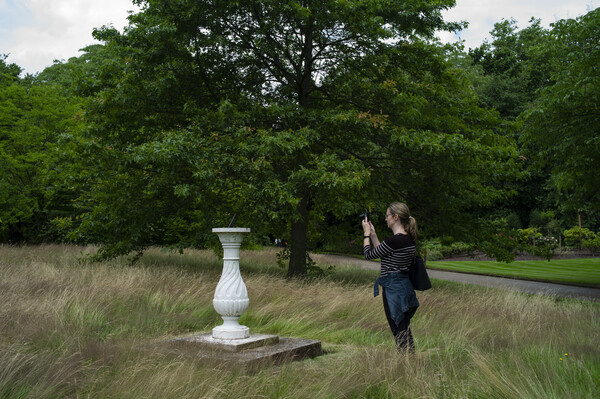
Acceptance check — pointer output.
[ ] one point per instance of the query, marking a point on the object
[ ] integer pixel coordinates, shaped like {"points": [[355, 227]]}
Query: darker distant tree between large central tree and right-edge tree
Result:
{"points": [[515, 67]]}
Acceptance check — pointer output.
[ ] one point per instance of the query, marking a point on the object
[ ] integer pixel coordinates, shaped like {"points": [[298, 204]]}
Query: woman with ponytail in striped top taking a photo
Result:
{"points": [[396, 252]]}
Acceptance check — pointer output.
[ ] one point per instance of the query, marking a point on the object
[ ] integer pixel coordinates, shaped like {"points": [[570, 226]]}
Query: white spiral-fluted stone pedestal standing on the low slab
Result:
{"points": [[231, 296]]}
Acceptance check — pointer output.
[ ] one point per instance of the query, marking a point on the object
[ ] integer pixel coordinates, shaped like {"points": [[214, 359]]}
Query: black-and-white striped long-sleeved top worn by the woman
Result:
{"points": [[396, 253]]}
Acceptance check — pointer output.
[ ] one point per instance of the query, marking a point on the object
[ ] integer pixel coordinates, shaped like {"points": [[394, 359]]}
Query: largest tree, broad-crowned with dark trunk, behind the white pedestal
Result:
{"points": [[282, 112]]}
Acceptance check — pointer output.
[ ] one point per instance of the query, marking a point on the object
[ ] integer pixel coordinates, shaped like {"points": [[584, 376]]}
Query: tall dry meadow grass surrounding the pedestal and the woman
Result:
{"points": [[76, 330]]}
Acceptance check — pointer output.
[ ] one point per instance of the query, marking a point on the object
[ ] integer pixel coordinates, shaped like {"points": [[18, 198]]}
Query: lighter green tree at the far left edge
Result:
{"points": [[32, 117]]}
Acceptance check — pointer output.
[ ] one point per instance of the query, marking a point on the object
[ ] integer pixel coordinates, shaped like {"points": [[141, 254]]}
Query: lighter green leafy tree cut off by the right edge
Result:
{"points": [[562, 125]]}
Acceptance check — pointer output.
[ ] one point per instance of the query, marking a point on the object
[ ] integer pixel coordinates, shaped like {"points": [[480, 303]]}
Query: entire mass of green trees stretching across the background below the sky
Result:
{"points": [[297, 117]]}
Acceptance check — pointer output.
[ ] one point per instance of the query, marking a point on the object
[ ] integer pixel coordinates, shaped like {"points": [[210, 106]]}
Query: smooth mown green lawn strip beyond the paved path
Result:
{"points": [[572, 271]]}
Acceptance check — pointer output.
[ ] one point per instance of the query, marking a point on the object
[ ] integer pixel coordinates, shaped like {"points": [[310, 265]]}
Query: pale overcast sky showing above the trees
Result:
{"points": [[36, 32]]}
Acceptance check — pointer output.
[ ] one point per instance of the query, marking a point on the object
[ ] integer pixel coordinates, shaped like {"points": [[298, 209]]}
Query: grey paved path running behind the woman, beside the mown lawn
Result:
{"points": [[534, 287]]}
